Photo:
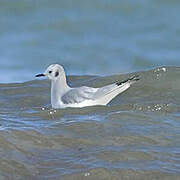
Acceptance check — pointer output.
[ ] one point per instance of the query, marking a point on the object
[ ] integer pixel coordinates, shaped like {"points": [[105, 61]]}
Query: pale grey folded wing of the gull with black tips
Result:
{"points": [[104, 94]]}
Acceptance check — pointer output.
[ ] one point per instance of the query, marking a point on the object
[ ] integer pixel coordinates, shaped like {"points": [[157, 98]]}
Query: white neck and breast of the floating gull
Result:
{"points": [[58, 88]]}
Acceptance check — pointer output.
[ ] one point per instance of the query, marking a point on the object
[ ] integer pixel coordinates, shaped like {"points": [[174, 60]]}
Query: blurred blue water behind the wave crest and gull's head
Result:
{"points": [[100, 37]]}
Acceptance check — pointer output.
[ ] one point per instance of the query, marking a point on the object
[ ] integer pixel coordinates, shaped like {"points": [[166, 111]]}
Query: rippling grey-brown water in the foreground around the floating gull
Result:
{"points": [[137, 136]]}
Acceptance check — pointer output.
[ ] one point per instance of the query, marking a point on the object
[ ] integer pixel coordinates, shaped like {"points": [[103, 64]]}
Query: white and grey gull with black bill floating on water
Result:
{"points": [[63, 96]]}
